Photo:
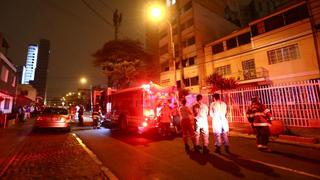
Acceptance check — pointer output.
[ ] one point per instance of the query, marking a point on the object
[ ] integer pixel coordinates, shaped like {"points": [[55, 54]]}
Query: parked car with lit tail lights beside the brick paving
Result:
{"points": [[53, 117]]}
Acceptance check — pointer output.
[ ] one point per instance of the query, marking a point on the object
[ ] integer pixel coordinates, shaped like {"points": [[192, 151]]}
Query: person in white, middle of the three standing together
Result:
{"points": [[200, 111]]}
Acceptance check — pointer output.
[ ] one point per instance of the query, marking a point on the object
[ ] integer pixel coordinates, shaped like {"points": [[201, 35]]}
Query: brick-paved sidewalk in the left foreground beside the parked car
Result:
{"points": [[28, 155]]}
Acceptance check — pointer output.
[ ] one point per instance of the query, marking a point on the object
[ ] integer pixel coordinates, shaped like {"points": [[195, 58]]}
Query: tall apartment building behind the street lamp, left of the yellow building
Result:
{"points": [[193, 25]]}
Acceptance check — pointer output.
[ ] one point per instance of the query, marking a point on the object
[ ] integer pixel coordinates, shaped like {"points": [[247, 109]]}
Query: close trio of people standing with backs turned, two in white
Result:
{"points": [[195, 124]]}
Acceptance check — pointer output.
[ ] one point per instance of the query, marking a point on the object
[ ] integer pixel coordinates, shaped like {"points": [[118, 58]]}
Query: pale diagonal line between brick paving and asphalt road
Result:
{"points": [[107, 172]]}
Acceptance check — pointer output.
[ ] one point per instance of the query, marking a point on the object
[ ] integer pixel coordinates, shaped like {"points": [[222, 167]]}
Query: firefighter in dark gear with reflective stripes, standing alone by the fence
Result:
{"points": [[260, 117]]}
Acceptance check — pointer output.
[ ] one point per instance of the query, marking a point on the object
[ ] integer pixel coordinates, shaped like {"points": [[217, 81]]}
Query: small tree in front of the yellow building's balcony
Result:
{"points": [[218, 82]]}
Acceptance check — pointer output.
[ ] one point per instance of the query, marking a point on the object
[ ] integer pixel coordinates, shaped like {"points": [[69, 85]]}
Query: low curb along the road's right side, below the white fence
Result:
{"points": [[272, 139]]}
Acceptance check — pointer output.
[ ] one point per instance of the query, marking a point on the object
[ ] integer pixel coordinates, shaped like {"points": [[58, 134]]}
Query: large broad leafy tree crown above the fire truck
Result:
{"points": [[123, 62]]}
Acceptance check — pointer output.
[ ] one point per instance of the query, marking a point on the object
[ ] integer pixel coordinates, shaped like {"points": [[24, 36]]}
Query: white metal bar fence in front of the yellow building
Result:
{"points": [[296, 104]]}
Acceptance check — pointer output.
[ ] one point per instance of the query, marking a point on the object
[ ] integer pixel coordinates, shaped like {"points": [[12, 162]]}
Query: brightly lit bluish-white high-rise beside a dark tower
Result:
{"points": [[28, 72]]}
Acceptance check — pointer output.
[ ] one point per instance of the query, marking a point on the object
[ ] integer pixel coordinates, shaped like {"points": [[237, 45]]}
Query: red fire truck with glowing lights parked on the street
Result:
{"points": [[137, 108]]}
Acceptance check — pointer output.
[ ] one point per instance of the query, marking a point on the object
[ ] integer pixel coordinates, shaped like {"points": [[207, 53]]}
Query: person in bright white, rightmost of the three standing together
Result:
{"points": [[220, 125]]}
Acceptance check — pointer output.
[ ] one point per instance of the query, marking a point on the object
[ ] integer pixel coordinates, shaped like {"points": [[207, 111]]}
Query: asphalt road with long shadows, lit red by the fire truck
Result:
{"points": [[131, 156]]}
